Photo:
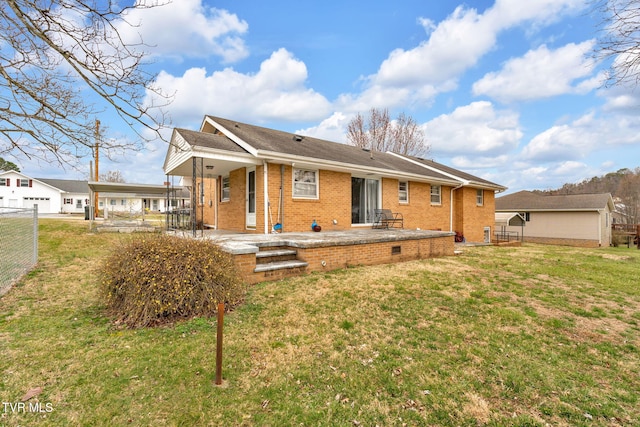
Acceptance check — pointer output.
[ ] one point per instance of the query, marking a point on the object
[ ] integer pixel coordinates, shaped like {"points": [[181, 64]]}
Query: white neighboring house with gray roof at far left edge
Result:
{"points": [[18, 190]]}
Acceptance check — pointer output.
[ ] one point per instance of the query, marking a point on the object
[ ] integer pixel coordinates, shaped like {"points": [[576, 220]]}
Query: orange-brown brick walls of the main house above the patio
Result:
{"points": [[334, 203]]}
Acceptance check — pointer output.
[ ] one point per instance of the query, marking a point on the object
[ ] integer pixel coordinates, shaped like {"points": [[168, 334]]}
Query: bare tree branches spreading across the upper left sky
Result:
{"points": [[52, 55]]}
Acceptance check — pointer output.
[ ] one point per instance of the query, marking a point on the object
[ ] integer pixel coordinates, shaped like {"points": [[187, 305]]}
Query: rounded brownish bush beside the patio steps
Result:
{"points": [[157, 279]]}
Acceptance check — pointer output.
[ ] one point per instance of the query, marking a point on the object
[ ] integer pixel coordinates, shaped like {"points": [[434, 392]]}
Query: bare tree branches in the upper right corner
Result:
{"points": [[620, 39]]}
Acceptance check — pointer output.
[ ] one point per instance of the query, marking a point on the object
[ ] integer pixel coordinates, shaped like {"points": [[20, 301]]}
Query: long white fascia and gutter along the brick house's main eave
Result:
{"points": [[349, 167]]}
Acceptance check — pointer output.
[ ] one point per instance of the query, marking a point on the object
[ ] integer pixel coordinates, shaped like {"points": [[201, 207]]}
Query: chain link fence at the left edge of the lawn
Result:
{"points": [[18, 244]]}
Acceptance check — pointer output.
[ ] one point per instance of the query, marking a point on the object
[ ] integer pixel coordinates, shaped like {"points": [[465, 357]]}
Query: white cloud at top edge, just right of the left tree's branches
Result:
{"points": [[187, 28]]}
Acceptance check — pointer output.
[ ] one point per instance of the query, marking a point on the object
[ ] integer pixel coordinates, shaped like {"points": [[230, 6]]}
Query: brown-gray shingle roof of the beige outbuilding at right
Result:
{"points": [[529, 201]]}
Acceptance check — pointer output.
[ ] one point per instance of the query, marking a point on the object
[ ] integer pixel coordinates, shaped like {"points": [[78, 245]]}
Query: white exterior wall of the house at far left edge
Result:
{"points": [[47, 198]]}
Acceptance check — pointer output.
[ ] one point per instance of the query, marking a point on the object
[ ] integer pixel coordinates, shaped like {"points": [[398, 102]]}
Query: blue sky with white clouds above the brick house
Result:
{"points": [[507, 90]]}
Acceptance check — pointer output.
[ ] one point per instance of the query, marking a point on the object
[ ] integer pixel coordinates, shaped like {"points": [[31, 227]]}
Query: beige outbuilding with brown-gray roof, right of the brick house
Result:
{"points": [[576, 220]]}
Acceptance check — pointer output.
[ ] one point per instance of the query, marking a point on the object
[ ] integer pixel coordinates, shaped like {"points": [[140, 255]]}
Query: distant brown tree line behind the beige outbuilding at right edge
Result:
{"points": [[624, 186]]}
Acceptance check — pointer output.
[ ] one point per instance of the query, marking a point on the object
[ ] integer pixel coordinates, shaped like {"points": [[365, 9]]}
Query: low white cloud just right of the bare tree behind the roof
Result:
{"points": [[476, 128]]}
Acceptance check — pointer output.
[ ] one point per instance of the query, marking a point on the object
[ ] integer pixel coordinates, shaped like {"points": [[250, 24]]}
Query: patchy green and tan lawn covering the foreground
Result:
{"points": [[530, 336]]}
